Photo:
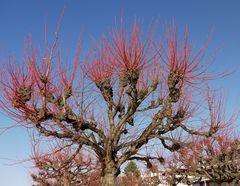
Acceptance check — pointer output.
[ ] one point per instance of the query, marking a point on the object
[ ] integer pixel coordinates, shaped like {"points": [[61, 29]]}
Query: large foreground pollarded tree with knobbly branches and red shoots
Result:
{"points": [[139, 93]]}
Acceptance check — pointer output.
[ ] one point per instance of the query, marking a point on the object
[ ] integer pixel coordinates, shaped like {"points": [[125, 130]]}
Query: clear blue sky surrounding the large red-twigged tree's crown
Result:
{"points": [[90, 19]]}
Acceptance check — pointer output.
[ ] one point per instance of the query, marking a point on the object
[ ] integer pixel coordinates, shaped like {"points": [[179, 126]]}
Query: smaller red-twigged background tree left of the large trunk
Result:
{"points": [[65, 166]]}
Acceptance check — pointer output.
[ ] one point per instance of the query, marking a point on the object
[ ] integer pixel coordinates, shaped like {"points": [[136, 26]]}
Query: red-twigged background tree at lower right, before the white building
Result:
{"points": [[214, 158]]}
